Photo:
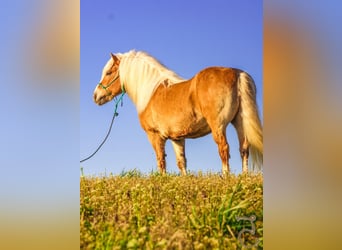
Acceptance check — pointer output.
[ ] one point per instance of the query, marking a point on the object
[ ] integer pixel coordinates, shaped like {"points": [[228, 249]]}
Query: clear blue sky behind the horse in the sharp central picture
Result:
{"points": [[186, 36]]}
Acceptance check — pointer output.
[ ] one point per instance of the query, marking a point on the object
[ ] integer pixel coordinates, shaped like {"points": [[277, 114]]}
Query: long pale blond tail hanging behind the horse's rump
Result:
{"points": [[250, 119]]}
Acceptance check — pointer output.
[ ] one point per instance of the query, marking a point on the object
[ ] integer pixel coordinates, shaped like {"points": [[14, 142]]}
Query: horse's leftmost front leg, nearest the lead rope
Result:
{"points": [[158, 144]]}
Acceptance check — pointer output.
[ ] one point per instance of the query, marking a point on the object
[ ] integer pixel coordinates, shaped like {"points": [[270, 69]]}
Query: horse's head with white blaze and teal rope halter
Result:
{"points": [[110, 85]]}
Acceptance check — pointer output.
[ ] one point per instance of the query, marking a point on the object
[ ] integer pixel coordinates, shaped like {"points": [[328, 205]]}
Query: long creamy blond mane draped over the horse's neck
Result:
{"points": [[141, 74]]}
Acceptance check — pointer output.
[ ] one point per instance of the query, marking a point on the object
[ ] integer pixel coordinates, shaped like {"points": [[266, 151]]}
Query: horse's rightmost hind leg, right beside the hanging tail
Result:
{"points": [[244, 144]]}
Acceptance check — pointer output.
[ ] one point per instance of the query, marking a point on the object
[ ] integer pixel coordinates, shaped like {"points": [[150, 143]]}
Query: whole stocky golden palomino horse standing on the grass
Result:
{"points": [[170, 107]]}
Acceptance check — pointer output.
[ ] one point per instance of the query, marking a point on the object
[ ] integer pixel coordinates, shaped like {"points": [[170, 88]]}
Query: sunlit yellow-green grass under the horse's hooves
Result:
{"points": [[202, 211]]}
